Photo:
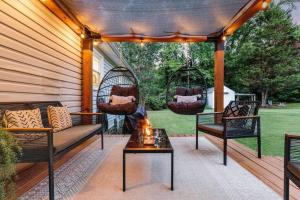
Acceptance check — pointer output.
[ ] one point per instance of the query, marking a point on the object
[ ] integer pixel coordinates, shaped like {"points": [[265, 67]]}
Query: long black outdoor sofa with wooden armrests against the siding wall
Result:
{"points": [[41, 144]]}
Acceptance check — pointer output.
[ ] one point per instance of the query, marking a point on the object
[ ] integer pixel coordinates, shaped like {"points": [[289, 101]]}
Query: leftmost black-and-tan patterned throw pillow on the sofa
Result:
{"points": [[23, 119]]}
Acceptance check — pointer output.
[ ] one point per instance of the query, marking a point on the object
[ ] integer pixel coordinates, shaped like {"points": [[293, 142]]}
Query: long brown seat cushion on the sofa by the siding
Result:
{"points": [[67, 137]]}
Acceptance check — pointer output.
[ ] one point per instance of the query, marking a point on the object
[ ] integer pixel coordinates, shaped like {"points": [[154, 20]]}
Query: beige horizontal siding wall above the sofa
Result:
{"points": [[40, 56]]}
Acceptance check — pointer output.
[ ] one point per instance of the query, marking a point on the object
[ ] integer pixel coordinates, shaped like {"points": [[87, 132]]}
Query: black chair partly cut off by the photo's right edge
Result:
{"points": [[291, 162]]}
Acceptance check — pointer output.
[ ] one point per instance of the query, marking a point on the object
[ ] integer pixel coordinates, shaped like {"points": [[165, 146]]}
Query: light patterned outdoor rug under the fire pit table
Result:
{"points": [[94, 174]]}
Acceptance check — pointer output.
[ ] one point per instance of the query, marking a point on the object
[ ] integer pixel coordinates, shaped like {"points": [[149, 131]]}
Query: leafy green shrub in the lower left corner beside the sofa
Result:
{"points": [[9, 152]]}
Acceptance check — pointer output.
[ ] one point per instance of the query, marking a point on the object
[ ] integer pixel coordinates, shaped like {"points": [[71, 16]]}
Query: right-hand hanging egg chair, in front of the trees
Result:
{"points": [[186, 91]]}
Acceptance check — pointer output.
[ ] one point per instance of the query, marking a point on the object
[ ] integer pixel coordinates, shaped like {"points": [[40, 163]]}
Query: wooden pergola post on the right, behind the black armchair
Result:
{"points": [[219, 76]]}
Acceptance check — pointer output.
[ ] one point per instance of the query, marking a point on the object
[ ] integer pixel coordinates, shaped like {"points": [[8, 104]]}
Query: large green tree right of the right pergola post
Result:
{"points": [[262, 56]]}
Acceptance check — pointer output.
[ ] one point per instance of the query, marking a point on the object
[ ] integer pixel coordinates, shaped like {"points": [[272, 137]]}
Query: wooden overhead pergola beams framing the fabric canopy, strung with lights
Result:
{"points": [[248, 11]]}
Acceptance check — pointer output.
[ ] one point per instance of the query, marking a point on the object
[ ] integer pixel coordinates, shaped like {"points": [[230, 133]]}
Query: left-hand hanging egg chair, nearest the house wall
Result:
{"points": [[118, 93]]}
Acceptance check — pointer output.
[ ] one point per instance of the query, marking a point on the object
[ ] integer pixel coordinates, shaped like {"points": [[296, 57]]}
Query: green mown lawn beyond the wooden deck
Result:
{"points": [[275, 122]]}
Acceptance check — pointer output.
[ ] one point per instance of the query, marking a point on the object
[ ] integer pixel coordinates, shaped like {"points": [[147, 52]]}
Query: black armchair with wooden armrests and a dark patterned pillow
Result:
{"points": [[239, 120]]}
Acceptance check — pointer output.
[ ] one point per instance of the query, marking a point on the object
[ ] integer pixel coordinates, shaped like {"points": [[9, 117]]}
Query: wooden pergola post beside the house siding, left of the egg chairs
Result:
{"points": [[87, 78]]}
